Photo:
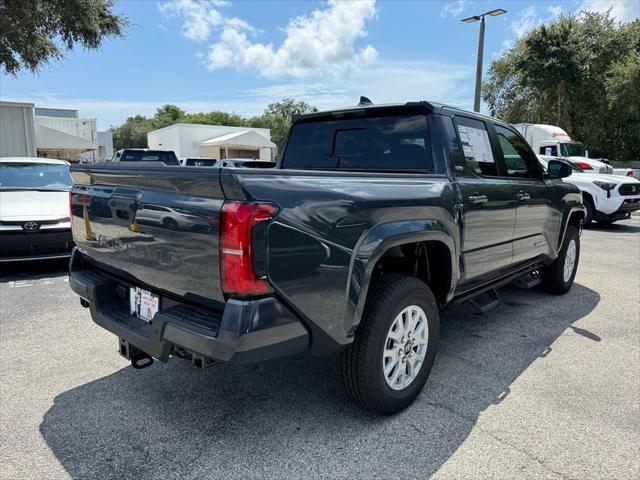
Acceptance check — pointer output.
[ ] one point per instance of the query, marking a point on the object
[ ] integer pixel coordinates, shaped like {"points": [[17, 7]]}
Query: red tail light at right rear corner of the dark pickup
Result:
{"points": [[241, 227]]}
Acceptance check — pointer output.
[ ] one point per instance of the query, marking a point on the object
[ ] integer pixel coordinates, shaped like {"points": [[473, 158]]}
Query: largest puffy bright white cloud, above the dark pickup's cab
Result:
{"points": [[321, 42]]}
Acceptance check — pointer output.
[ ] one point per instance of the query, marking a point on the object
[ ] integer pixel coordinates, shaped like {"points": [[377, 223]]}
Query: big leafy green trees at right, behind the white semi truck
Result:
{"points": [[565, 73]]}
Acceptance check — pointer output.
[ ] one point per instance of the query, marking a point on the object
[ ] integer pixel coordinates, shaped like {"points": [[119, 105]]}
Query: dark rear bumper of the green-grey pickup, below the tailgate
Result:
{"points": [[245, 331]]}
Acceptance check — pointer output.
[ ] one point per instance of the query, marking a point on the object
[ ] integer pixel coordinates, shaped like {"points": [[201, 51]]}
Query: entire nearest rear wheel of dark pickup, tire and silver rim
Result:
{"points": [[389, 361]]}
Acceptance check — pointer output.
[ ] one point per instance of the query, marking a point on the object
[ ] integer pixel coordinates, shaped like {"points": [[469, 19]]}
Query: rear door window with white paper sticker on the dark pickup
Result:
{"points": [[478, 157]]}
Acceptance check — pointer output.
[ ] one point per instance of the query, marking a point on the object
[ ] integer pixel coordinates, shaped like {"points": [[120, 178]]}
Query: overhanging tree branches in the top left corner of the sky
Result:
{"points": [[32, 32]]}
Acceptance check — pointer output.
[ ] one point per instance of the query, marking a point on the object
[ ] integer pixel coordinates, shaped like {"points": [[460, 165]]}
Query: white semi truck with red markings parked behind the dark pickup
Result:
{"points": [[554, 141]]}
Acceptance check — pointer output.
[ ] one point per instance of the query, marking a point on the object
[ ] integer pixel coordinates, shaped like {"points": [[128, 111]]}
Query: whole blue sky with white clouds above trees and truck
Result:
{"points": [[241, 55]]}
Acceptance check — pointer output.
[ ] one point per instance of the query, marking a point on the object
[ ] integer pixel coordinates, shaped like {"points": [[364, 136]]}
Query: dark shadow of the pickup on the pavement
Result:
{"points": [[289, 418]]}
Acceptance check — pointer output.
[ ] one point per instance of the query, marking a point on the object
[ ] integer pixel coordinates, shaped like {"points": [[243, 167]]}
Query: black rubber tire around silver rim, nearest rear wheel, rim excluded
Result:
{"points": [[360, 366]]}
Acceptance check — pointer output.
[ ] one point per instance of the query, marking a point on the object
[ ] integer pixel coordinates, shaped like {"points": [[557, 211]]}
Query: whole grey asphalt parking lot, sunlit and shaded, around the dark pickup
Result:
{"points": [[541, 387]]}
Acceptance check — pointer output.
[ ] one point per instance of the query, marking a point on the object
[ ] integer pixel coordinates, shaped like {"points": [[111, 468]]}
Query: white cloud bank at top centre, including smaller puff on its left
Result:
{"points": [[321, 42]]}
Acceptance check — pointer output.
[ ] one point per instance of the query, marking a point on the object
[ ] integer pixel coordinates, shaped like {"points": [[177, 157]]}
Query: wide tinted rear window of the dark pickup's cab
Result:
{"points": [[384, 143]]}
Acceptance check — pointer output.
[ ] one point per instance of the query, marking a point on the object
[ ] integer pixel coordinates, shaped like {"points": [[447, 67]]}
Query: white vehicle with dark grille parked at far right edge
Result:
{"points": [[607, 198]]}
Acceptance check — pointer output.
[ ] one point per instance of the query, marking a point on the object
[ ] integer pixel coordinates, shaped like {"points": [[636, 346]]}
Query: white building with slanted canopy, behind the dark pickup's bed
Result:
{"points": [[213, 141]]}
